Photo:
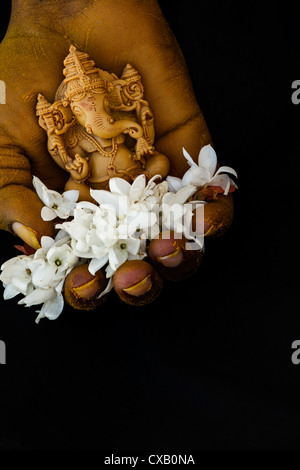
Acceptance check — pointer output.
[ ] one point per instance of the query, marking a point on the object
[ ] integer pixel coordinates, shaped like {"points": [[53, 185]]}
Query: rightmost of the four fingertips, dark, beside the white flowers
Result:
{"points": [[216, 217]]}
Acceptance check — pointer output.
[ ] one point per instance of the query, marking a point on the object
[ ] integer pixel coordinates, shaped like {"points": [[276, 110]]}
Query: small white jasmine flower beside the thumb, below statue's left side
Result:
{"points": [[56, 205]]}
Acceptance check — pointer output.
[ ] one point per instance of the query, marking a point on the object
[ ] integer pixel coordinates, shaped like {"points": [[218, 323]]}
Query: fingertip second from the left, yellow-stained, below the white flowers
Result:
{"points": [[137, 283]]}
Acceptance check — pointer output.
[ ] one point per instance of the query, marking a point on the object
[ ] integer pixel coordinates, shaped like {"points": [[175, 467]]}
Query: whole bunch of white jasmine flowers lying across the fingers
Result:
{"points": [[108, 233]]}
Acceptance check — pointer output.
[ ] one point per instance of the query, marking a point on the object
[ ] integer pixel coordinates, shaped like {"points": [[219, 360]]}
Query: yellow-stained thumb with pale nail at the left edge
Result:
{"points": [[20, 207]]}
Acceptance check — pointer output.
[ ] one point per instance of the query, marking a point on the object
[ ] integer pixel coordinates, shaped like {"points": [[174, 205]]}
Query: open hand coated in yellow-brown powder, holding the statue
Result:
{"points": [[31, 57]]}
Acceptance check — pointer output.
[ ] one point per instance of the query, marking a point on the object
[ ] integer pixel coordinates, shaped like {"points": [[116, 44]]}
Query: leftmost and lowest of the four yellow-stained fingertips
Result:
{"points": [[82, 289]]}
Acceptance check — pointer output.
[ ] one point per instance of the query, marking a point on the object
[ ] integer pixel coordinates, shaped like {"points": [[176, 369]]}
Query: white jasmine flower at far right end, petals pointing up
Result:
{"points": [[204, 174]]}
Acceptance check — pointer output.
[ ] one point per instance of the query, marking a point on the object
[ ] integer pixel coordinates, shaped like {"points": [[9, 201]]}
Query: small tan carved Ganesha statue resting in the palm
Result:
{"points": [[100, 126]]}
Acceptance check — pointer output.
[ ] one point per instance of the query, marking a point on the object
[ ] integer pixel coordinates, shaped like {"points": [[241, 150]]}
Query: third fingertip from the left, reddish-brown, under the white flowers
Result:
{"points": [[172, 257]]}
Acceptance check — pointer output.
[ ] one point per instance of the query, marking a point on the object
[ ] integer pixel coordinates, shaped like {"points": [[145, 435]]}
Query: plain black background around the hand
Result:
{"points": [[208, 365]]}
